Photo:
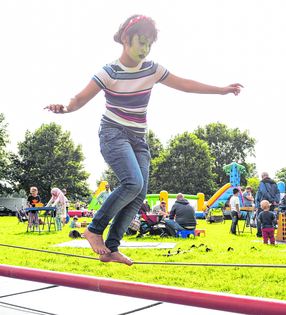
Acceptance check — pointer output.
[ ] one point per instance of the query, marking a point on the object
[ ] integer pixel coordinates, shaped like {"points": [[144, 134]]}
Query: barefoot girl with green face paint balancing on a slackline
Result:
{"points": [[127, 83]]}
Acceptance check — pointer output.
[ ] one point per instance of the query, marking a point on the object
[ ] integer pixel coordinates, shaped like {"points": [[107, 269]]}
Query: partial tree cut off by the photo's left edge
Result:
{"points": [[4, 156]]}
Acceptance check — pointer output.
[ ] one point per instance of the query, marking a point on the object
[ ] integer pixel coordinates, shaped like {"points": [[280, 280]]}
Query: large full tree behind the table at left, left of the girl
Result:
{"points": [[48, 158]]}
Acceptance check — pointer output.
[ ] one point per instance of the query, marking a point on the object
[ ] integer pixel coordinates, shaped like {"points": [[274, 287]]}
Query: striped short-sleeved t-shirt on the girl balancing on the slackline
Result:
{"points": [[127, 92]]}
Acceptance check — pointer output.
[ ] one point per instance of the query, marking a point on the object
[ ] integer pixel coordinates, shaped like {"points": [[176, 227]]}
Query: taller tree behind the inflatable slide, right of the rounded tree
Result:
{"points": [[226, 146]]}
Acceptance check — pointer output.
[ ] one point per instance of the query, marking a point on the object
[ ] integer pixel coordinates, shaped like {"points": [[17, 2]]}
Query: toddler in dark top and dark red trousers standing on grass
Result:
{"points": [[268, 221]]}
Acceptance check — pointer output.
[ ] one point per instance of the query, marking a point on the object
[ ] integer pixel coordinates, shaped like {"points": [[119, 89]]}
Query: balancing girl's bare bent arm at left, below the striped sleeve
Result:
{"points": [[78, 101]]}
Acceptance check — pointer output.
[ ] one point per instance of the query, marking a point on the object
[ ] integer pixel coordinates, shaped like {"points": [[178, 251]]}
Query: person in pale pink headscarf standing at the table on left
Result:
{"points": [[58, 200]]}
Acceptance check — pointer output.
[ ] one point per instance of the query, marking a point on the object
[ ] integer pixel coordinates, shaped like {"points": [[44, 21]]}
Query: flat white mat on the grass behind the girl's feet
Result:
{"points": [[85, 244]]}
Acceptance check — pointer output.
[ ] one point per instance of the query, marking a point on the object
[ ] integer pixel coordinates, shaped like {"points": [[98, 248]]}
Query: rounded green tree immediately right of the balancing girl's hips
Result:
{"points": [[184, 166]]}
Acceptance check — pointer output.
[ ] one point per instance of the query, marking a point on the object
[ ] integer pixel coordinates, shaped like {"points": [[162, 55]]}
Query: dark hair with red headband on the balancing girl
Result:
{"points": [[136, 24]]}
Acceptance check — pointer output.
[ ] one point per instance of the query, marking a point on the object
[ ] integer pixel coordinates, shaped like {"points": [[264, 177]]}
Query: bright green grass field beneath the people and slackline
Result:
{"points": [[263, 282]]}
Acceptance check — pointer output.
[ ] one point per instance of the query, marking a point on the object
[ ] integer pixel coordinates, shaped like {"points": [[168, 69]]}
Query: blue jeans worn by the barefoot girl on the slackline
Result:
{"points": [[129, 157]]}
